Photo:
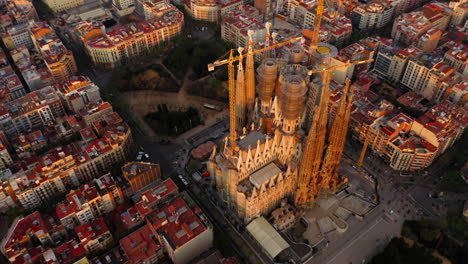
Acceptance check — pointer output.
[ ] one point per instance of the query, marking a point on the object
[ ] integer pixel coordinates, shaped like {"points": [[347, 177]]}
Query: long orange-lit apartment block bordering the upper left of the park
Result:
{"points": [[126, 43]]}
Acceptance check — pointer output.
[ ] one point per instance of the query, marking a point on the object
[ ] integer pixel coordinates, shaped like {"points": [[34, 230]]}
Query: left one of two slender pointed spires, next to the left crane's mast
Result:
{"points": [[240, 95]]}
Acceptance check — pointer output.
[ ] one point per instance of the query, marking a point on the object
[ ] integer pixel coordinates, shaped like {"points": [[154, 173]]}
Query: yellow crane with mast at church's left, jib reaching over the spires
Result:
{"points": [[232, 84]]}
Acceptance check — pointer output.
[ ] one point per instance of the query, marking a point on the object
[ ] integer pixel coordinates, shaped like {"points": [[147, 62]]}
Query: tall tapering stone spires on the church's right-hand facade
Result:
{"points": [[323, 150]]}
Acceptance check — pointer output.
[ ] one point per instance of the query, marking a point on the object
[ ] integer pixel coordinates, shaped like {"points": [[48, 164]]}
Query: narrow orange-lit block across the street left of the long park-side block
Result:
{"points": [[58, 59]]}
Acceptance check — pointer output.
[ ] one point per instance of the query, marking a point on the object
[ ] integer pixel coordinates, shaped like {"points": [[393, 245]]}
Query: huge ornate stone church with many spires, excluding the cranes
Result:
{"points": [[284, 142]]}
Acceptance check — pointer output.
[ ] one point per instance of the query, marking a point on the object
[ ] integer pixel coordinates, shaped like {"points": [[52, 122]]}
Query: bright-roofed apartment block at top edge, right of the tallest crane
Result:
{"points": [[372, 15]]}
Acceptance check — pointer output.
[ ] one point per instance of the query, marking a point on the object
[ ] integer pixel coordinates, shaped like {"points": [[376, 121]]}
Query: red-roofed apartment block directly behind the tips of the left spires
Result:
{"points": [[235, 26]]}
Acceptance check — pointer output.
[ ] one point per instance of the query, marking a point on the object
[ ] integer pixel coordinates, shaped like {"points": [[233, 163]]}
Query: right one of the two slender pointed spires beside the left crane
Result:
{"points": [[250, 78]]}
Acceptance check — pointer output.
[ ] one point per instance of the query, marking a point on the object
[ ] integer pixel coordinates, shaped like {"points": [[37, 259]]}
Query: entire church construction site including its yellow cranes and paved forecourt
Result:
{"points": [[286, 137]]}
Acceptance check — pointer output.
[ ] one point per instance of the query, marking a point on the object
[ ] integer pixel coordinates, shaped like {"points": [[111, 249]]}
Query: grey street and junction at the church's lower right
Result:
{"points": [[398, 202]]}
